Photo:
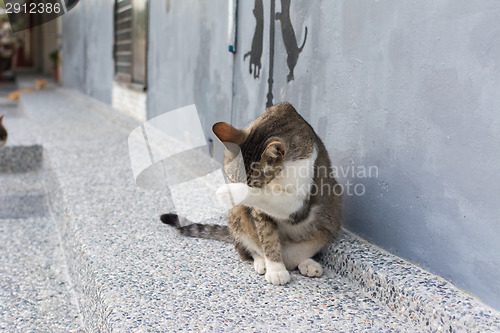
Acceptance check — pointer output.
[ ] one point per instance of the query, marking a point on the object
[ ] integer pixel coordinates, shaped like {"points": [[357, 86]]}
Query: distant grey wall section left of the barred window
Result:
{"points": [[87, 48]]}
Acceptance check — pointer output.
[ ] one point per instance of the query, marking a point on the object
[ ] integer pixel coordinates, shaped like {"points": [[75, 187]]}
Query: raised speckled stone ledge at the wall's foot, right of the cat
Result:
{"points": [[426, 299]]}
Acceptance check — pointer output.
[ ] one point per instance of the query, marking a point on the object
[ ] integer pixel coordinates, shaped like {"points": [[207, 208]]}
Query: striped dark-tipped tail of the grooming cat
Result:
{"points": [[198, 230]]}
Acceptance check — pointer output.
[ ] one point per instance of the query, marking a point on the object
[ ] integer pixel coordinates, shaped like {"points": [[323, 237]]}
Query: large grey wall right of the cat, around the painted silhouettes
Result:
{"points": [[413, 88]]}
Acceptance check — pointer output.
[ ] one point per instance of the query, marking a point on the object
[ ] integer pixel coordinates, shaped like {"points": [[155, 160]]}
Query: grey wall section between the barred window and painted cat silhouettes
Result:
{"points": [[188, 61]]}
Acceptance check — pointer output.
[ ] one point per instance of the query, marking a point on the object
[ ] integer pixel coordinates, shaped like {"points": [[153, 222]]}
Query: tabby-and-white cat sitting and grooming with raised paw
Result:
{"points": [[286, 209]]}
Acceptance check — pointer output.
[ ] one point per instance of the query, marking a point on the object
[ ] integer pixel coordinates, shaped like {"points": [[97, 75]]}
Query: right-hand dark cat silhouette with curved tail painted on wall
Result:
{"points": [[289, 39]]}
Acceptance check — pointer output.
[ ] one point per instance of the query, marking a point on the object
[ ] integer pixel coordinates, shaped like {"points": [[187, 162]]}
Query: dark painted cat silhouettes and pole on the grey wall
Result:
{"points": [[292, 47]]}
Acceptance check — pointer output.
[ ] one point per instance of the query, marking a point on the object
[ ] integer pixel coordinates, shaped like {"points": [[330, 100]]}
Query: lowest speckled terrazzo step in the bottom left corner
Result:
{"points": [[35, 291]]}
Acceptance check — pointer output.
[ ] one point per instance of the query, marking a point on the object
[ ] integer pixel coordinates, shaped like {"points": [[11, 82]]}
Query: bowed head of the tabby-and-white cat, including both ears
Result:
{"points": [[256, 153]]}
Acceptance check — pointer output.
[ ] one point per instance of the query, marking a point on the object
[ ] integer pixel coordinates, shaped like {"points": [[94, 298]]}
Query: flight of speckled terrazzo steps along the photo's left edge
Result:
{"points": [[35, 289]]}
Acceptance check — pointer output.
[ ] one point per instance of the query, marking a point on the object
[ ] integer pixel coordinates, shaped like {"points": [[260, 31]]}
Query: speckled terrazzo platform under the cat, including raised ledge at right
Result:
{"points": [[131, 273]]}
